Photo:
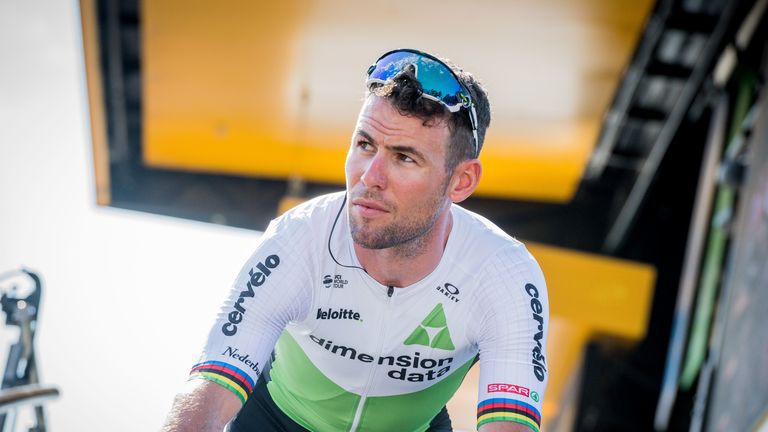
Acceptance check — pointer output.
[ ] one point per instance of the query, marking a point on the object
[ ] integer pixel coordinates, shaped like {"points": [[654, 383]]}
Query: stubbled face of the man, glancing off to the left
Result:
{"points": [[396, 176]]}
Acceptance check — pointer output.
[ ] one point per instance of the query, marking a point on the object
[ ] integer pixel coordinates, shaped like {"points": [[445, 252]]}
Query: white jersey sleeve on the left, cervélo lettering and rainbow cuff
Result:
{"points": [[270, 291]]}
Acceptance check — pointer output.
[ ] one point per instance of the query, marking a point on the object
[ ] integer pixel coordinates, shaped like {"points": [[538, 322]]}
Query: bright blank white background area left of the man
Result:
{"points": [[128, 296]]}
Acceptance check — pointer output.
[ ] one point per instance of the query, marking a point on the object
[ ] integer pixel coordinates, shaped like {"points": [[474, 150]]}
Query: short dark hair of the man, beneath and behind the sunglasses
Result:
{"points": [[404, 93]]}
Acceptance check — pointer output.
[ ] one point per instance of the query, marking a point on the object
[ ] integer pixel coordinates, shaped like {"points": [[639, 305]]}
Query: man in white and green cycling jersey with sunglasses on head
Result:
{"points": [[377, 301]]}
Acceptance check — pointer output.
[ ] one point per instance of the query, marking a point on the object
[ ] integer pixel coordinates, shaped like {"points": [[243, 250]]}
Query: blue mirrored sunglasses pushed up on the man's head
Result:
{"points": [[438, 82]]}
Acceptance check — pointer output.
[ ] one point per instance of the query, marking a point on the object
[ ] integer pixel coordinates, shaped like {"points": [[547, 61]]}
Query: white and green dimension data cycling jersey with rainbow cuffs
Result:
{"points": [[353, 354]]}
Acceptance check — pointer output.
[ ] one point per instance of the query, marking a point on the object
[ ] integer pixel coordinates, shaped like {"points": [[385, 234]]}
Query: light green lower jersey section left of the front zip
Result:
{"points": [[305, 394]]}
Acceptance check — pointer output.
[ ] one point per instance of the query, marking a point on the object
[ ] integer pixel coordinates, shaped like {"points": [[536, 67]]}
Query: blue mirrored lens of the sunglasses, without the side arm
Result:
{"points": [[435, 78]]}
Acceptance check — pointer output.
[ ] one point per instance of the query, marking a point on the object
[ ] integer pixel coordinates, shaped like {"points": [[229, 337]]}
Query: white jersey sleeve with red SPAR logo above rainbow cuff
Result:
{"points": [[511, 332]]}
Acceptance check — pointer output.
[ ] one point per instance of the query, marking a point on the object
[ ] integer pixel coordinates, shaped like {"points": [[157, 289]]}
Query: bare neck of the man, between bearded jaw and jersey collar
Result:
{"points": [[408, 263]]}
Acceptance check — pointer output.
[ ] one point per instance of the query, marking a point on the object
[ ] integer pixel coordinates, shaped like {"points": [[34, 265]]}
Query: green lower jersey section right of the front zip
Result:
{"points": [[413, 411]]}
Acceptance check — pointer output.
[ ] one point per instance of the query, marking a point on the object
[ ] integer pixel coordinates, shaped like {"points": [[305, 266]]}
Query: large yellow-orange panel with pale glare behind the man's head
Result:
{"points": [[272, 89]]}
